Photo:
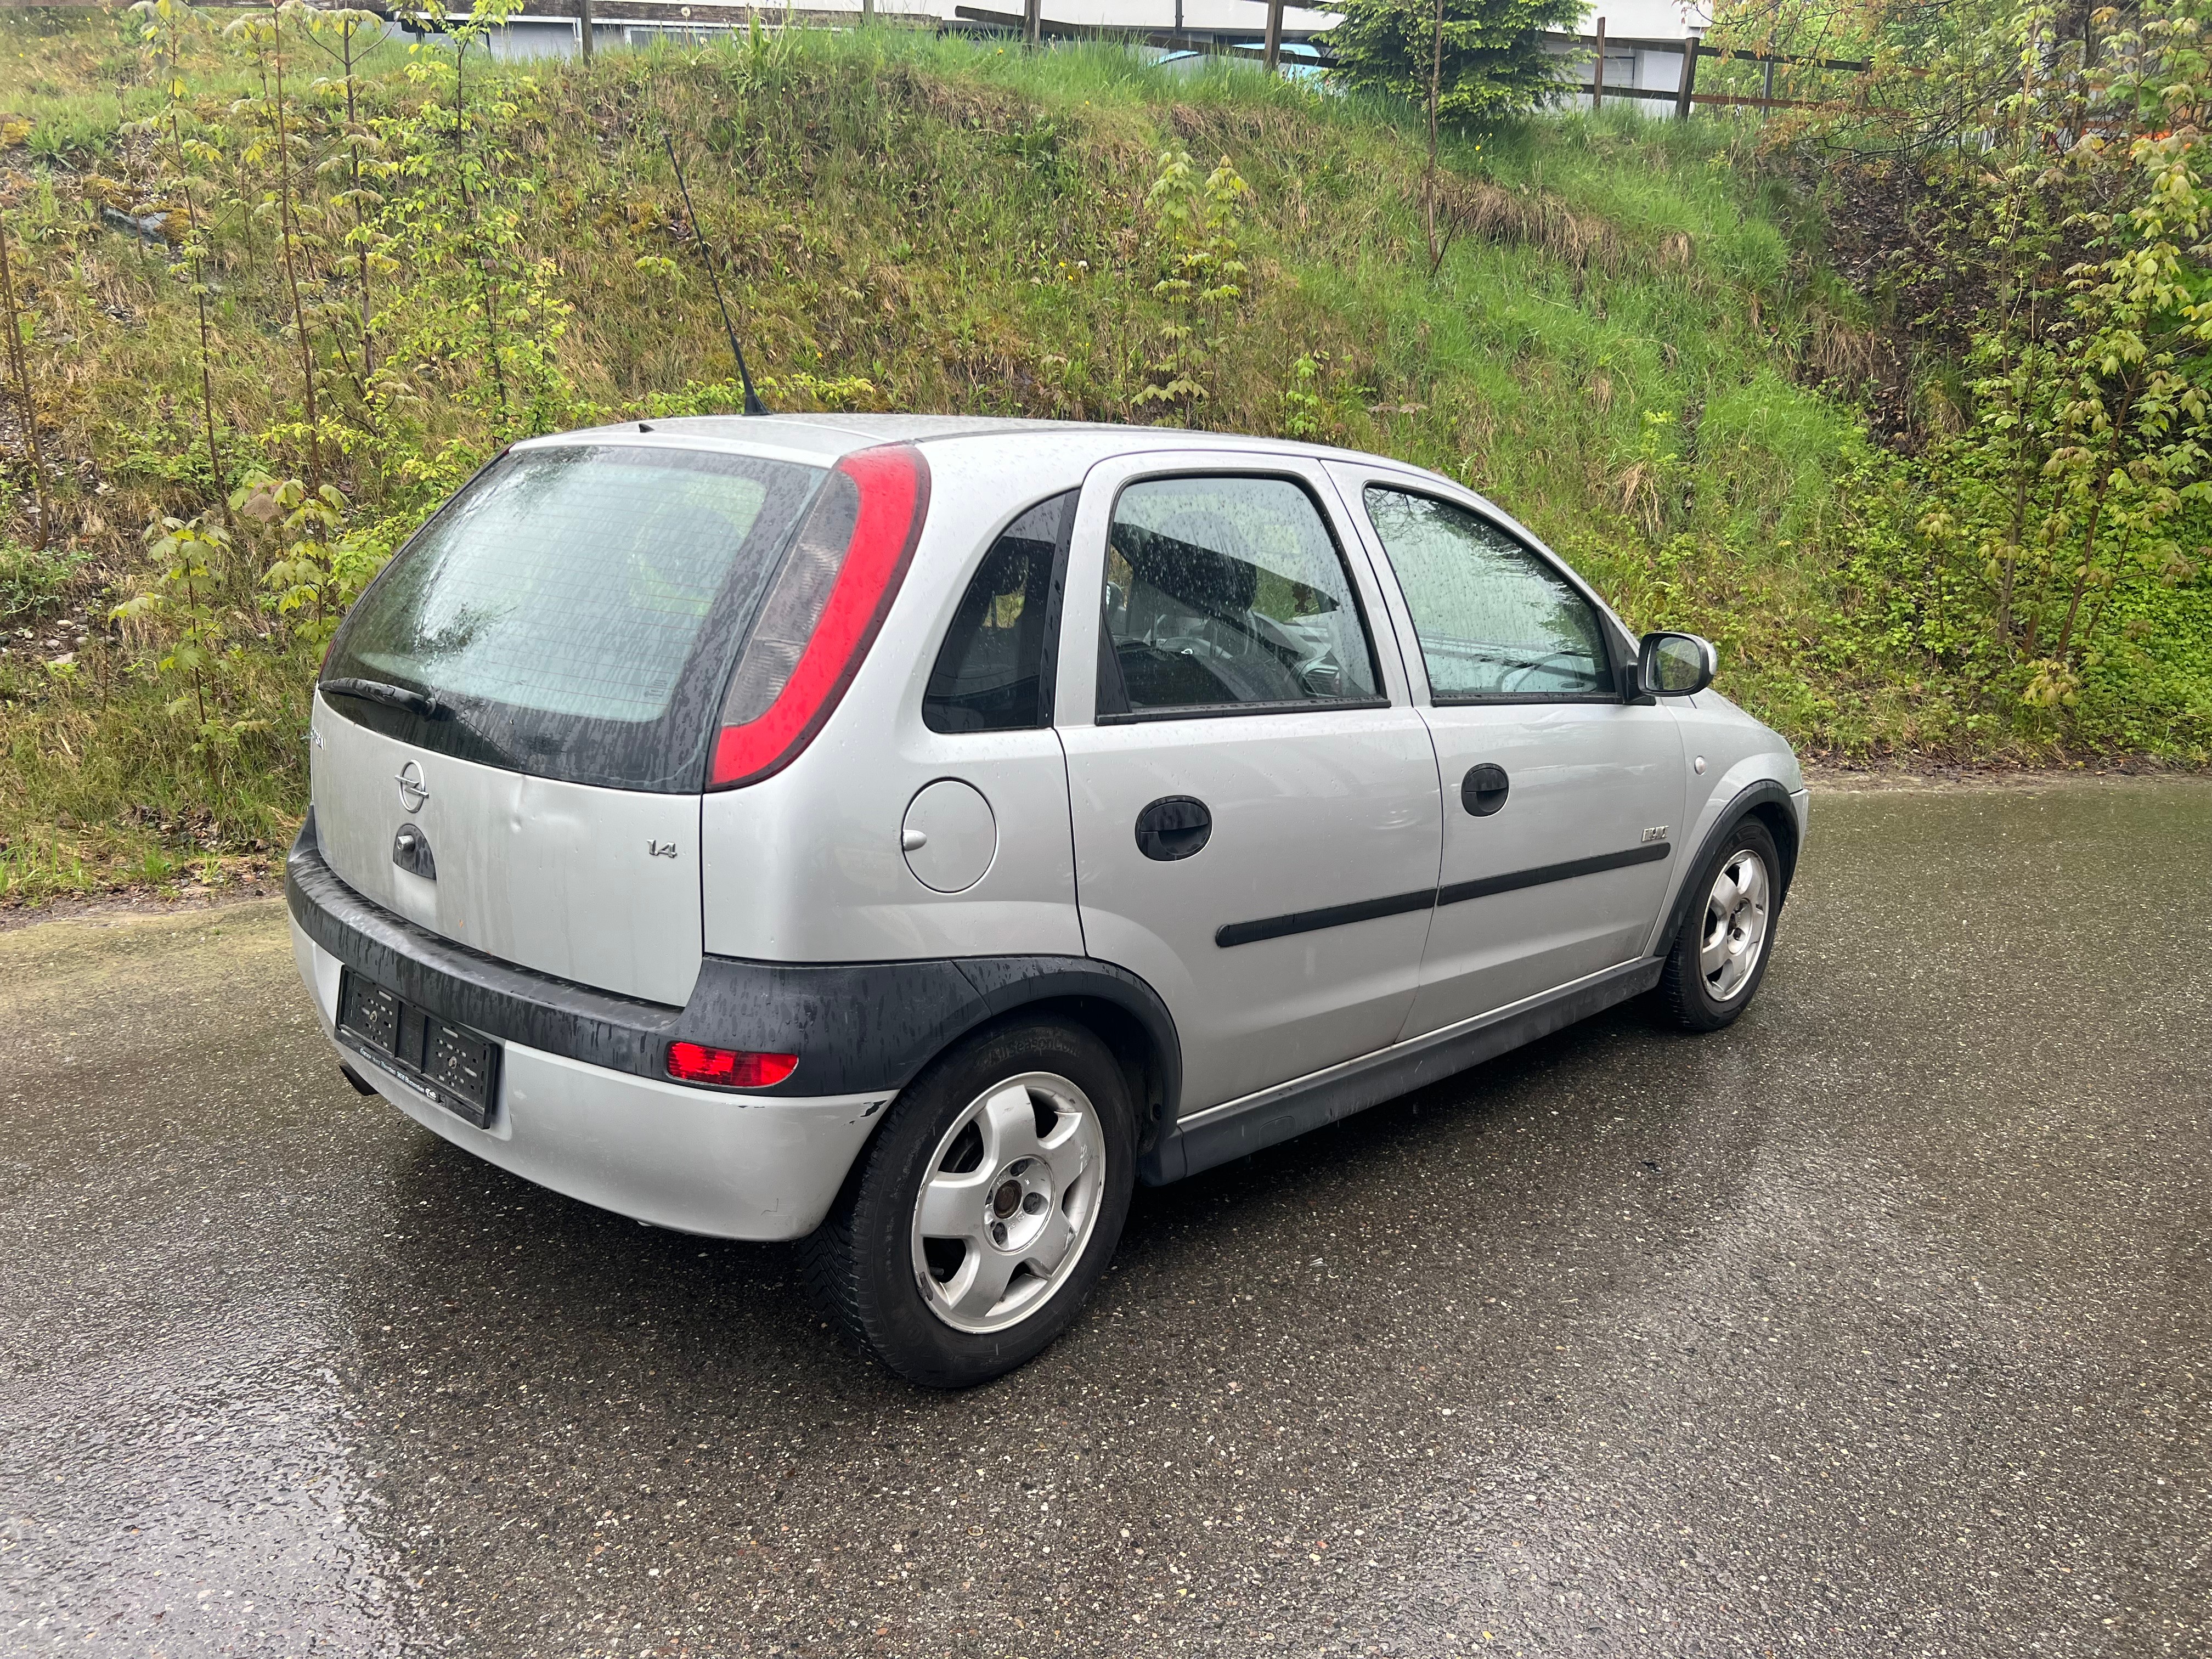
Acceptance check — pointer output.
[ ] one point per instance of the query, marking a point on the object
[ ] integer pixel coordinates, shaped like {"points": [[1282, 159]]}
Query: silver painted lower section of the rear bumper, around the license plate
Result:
{"points": [[735, 1167]]}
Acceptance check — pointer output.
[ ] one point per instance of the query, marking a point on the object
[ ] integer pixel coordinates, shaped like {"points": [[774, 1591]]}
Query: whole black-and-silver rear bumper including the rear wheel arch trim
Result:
{"points": [[585, 1105]]}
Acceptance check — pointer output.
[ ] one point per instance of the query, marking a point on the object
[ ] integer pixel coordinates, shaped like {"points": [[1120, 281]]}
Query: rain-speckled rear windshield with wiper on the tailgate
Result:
{"points": [[576, 612]]}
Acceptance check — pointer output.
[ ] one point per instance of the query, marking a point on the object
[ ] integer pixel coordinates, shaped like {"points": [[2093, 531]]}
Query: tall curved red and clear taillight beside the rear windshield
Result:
{"points": [[824, 612]]}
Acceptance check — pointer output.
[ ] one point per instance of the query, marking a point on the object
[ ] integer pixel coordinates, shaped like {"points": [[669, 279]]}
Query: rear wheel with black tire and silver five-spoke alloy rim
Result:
{"points": [[983, 1213]]}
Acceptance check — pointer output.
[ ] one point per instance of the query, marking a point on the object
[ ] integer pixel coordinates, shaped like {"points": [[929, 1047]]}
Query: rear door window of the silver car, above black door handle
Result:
{"points": [[1227, 594]]}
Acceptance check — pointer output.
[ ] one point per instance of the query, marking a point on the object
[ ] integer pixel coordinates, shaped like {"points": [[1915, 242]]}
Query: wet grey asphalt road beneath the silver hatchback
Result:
{"points": [[1875, 1326]]}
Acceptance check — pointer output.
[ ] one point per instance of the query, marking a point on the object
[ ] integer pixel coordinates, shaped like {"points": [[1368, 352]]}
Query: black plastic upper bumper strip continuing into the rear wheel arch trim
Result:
{"points": [[857, 1027]]}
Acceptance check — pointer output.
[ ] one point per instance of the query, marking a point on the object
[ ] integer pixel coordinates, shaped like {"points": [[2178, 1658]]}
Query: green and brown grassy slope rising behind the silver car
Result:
{"points": [[926, 225]]}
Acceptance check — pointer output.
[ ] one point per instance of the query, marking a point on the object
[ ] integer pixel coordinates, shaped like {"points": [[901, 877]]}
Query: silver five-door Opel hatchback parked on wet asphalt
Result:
{"points": [[908, 835]]}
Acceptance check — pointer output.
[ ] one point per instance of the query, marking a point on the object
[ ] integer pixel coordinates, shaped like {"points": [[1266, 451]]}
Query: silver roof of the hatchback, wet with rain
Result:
{"points": [[826, 437]]}
